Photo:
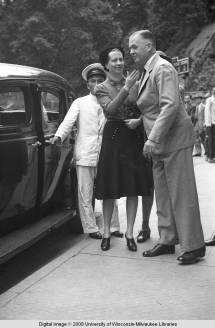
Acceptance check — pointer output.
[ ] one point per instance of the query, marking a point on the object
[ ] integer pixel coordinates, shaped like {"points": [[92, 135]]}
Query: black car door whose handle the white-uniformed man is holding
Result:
{"points": [[53, 100]]}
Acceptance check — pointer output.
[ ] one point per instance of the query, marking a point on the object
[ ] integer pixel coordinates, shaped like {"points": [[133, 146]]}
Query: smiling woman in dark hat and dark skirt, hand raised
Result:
{"points": [[122, 169]]}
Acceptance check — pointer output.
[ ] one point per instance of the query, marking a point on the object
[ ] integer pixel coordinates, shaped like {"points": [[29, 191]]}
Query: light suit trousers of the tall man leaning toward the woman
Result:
{"points": [[177, 200]]}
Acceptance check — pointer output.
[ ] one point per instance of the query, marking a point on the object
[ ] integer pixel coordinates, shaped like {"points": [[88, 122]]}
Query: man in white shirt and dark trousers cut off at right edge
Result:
{"points": [[210, 126]]}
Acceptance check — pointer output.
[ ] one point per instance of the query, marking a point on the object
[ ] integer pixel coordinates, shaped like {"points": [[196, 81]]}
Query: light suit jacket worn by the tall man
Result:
{"points": [[165, 119]]}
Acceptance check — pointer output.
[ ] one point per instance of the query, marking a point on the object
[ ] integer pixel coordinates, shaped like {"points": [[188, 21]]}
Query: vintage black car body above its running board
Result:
{"points": [[34, 179]]}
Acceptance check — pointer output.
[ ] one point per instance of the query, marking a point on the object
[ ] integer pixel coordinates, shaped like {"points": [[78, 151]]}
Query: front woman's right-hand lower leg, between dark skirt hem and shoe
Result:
{"points": [[131, 209]]}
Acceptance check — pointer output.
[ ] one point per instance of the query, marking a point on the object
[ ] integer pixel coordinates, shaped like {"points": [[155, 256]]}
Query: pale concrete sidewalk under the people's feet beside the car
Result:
{"points": [[86, 283]]}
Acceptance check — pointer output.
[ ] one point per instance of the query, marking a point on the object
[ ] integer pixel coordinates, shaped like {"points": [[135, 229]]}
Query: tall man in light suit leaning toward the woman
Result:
{"points": [[169, 143]]}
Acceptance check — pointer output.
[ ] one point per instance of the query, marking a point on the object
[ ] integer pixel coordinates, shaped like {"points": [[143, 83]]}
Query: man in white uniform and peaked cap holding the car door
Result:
{"points": [[90, 121]]}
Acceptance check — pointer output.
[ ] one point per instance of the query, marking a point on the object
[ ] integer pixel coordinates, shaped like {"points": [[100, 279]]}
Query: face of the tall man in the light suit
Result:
{"points": [[140, 49]]}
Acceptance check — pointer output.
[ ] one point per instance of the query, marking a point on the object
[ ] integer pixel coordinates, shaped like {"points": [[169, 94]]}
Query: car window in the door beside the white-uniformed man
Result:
{"points": [[50, 104]]}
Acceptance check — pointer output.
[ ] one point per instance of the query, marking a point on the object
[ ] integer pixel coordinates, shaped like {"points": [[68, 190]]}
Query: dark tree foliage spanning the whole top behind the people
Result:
{"points": [[66, 35]]}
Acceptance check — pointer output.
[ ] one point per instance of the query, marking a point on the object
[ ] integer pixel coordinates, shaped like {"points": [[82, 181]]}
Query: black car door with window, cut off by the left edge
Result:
{"points": [[18, 151]]}
